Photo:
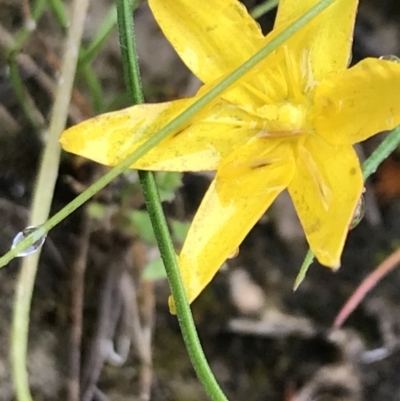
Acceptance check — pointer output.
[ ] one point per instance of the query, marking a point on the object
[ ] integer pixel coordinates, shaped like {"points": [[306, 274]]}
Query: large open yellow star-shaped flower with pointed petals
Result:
{"points": [[289, 124]]}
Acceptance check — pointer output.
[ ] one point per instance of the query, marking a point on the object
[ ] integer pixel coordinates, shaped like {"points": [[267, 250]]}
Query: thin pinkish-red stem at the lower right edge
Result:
{"points": [[367, 285]]}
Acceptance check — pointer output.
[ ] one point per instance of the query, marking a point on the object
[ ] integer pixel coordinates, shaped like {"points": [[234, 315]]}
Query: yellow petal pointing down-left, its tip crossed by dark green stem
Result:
{"points": [[233, 204]]}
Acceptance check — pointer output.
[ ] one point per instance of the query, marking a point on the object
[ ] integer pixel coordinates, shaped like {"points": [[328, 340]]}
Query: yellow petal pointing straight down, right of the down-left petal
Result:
{"points": [[325, 191]]}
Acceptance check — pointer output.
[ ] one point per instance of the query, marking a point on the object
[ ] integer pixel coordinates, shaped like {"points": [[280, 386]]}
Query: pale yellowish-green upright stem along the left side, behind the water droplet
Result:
{"points": [[42, 201]]}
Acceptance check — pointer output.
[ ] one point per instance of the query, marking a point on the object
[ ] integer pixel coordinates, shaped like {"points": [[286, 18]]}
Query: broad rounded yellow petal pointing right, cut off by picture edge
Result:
{"points": [[362, 101]]}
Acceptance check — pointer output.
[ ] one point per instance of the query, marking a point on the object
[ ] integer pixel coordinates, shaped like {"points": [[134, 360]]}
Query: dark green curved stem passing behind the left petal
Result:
{"points": [[154, 207]]}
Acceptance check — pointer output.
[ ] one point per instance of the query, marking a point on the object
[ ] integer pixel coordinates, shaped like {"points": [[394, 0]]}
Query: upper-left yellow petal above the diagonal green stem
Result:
{"points": [[211, 37]]}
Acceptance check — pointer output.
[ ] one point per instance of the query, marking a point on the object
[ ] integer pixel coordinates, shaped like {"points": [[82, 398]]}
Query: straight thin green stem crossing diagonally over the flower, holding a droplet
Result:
{"points": [[191, 111]]}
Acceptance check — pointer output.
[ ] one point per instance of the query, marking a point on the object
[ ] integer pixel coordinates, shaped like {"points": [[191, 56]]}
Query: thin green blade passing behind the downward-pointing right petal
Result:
{"points": [[385, 148]]}
